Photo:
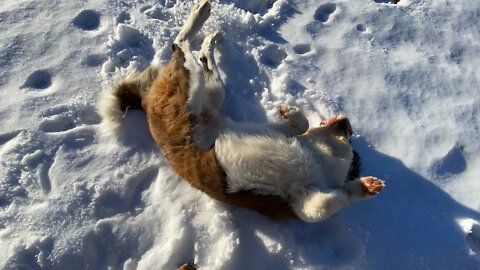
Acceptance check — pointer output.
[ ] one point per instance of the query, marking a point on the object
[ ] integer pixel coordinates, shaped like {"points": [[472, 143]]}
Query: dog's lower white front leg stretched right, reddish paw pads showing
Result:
{"points": [[313, 205]]}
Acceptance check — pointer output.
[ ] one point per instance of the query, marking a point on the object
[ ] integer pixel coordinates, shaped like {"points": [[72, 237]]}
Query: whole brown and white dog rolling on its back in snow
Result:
{"points": [[281, 169]]}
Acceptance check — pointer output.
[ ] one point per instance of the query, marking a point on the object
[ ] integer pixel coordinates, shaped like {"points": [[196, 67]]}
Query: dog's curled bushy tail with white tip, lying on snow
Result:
{"points": [[127, 94]]}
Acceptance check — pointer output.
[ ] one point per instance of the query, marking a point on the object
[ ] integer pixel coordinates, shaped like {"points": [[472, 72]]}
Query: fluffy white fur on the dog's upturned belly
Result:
{"points": [[265, 162]]}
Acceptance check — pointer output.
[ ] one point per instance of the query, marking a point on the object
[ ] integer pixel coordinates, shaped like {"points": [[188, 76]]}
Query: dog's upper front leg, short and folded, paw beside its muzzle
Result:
{"points": [[296, 123]]}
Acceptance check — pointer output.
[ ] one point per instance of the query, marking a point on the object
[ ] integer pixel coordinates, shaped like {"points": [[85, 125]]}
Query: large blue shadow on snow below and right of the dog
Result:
{"points": [[412, 224]]}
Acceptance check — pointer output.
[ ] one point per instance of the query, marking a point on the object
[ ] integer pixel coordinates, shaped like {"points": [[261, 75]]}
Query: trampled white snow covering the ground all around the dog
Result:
{"points": [[406, 75]]}
